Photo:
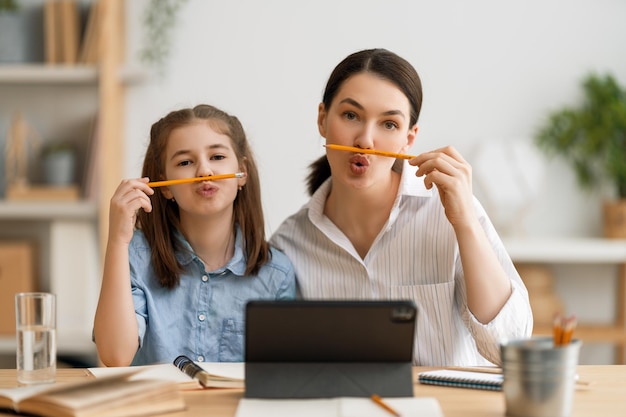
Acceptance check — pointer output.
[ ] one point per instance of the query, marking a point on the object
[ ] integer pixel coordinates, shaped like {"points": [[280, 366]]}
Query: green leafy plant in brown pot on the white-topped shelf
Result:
{"points": [[592, 139]]}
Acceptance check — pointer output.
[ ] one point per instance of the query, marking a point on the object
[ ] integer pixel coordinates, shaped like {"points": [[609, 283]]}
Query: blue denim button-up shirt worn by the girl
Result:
{"points": [[202, 318]]}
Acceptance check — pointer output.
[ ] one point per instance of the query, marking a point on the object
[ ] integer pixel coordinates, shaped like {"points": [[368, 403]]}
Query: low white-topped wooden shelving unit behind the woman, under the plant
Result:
{"points": [[543, 252]]}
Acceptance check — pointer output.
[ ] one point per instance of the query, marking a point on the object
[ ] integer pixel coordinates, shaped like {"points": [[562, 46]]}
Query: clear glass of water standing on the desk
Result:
{"points": [[35, 314]]}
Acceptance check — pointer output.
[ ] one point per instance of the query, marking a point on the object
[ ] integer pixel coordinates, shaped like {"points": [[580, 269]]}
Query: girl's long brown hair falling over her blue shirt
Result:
{"points": [[160, 225]]}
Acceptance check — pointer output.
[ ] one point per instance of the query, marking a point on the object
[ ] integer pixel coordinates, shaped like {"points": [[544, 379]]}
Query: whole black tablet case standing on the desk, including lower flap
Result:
{"points": [[321, 349]]}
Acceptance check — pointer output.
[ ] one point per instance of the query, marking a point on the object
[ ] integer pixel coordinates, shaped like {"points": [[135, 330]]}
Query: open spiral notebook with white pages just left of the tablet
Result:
{"points": [[220, 374]]}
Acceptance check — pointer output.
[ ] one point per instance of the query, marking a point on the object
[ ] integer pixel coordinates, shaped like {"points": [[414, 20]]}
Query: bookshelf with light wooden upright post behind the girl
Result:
{"points": [[63, 100]]}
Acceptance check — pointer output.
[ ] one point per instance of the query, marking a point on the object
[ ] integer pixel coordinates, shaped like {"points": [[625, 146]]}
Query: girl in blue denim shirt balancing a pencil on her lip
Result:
{"points": [[178, 282]]}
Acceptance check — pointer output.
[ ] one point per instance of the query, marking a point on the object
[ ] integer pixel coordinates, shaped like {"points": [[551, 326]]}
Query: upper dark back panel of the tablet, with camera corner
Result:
{"points": [[323, 331]]}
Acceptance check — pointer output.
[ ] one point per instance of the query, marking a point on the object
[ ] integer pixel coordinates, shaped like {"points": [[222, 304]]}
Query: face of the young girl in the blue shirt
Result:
{"points": [[197, 150]]}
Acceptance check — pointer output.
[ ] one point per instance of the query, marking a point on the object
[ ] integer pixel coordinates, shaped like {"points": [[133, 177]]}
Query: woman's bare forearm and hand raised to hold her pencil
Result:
{"points": [[488, 286]]}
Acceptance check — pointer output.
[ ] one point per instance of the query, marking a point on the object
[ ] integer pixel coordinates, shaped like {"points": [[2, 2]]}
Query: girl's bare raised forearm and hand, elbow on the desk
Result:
{"points": [[115, 325]]}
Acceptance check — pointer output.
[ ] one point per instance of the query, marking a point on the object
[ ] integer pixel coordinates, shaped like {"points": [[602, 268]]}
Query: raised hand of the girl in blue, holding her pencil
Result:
{"points": [[130, 196]]}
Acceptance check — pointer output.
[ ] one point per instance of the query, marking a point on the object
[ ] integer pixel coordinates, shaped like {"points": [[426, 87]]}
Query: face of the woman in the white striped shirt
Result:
{"points": [[367, 112]]}
